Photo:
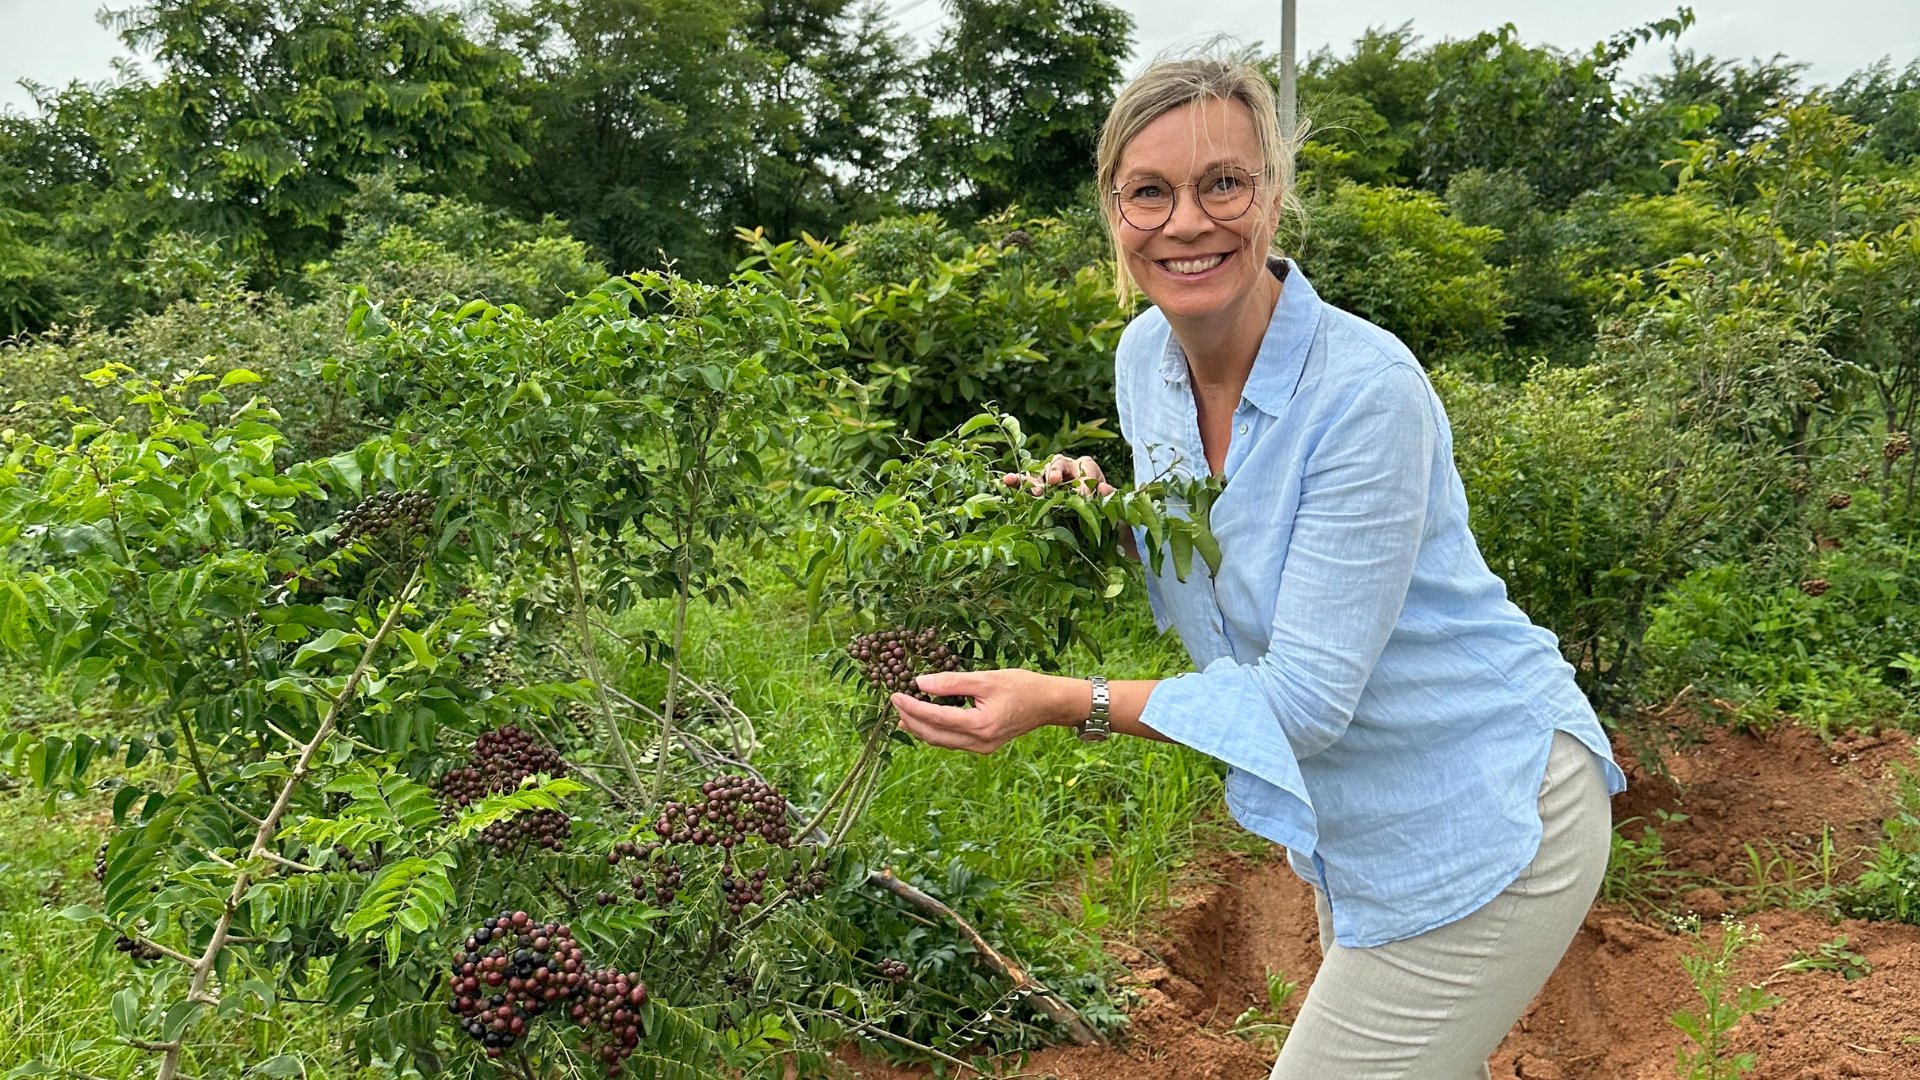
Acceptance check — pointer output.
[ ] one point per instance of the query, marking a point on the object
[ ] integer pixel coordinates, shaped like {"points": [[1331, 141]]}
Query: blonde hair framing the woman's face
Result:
{"points": [[1180, 82]]}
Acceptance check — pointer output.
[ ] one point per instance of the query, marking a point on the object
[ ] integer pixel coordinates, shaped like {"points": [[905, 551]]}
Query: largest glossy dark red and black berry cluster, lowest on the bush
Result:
{"points": [[514, 971]]}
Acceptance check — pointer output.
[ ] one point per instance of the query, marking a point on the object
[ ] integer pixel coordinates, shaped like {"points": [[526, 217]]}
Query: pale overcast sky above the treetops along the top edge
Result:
{"points": [[59, 41]]}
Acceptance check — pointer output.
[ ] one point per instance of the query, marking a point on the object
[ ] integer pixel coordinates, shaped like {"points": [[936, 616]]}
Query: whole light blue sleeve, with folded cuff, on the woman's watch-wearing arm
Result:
{"points": [[1345, 579]]}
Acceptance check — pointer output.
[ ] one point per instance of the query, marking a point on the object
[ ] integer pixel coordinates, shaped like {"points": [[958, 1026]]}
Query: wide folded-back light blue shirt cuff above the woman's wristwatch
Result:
{"points": [[1222, 714]]}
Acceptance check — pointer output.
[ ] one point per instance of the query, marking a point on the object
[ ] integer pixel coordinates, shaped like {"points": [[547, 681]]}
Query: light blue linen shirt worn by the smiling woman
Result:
{"points": [[1383, 710]]}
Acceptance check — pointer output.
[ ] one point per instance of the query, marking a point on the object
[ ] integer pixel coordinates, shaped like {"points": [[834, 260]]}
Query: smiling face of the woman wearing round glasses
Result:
{"points": [[1195, 266]]}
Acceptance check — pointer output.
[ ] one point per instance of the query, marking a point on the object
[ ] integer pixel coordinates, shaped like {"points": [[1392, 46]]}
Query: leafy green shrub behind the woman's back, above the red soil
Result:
{"points": [[1589, 499]]}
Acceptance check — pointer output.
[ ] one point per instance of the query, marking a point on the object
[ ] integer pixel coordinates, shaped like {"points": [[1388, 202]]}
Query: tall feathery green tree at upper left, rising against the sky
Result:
{"points": [[264, 112]]}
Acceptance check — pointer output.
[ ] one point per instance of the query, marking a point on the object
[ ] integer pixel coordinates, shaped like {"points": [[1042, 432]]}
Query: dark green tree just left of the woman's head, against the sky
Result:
{"points": [[1015, 95]]}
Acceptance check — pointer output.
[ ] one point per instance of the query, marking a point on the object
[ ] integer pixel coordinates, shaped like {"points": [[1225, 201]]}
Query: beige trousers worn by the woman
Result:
{"points": [[1433, 1008]]}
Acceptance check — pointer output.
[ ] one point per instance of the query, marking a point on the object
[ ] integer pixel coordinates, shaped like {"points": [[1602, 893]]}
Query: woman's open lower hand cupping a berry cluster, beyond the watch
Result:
{"points": [[1007, 704]]}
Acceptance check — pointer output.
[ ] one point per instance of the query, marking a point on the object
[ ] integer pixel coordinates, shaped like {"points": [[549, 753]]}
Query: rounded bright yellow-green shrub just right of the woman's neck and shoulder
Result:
{"points": [[1397, 258]]}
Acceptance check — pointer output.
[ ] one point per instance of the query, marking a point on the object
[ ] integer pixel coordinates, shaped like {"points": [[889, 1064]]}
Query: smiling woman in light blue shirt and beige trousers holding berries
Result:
{"points": [[1383, 710]]}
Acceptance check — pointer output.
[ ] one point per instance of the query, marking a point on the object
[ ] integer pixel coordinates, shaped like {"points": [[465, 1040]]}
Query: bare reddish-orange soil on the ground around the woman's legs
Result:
{"points": [[1606, 1012]]}
